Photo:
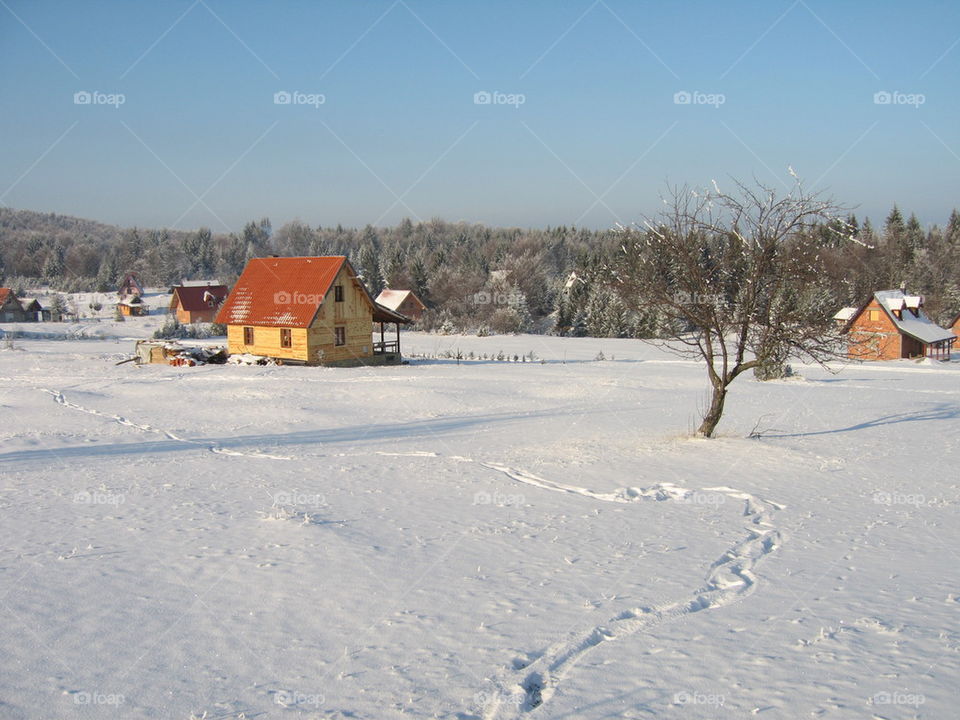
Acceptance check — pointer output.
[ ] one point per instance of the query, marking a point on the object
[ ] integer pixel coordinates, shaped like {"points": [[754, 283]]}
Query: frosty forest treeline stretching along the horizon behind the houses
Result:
{"points": [[473, 278]]}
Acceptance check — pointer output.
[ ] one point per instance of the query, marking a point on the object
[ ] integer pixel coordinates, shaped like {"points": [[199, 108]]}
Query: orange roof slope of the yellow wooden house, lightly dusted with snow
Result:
{"points": [[280, 292]]}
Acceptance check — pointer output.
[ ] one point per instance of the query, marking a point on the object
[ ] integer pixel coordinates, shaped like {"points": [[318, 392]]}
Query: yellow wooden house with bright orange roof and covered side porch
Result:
{"points": [[307, 310]]}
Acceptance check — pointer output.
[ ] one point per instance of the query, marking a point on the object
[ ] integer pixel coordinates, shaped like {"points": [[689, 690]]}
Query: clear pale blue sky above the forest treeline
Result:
{"points": [[585, 129]]}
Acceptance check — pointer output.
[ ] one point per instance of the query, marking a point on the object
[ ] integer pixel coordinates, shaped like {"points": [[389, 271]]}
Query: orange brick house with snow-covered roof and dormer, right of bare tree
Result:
{"points": [[893, 325]]}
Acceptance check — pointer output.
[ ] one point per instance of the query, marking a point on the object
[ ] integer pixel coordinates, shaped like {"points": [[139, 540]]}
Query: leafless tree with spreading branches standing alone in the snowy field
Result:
{"points": [[735, 279]]}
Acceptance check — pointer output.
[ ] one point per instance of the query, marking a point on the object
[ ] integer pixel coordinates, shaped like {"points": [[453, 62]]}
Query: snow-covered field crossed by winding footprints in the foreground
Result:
{"points": [[474, 540]]}
